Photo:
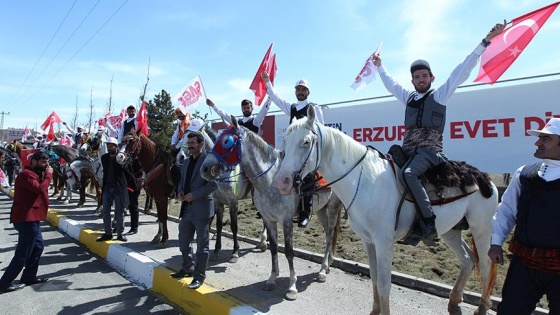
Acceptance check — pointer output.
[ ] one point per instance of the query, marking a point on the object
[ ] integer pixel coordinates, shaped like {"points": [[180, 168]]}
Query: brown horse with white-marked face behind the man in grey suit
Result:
{"points": [[155, 162]]}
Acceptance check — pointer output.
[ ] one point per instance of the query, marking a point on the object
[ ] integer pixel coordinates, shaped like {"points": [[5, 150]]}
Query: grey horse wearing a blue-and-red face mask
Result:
{"points": [[260, 161]]}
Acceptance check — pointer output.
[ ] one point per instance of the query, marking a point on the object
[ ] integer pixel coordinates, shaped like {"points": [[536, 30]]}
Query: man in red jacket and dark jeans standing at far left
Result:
{"points": [[31, 201]]}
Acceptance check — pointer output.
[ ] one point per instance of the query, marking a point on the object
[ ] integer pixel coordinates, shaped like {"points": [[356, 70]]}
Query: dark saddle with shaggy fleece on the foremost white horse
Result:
{"points": [[444, 183]]}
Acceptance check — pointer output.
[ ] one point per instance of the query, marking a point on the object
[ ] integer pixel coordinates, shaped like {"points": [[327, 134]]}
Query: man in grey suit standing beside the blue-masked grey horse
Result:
{"points": [[197, 211]]}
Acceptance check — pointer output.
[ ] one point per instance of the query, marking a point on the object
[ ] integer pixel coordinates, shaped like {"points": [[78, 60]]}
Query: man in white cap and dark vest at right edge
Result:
{"points": [[530, 203]]}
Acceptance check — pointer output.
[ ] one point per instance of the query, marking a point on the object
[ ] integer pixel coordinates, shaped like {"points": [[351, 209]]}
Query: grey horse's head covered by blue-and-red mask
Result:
{"points": [[225, 154]]}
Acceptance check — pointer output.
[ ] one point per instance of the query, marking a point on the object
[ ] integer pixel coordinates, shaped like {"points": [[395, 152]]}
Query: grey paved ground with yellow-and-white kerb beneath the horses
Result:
{"points": [[82, 283]]}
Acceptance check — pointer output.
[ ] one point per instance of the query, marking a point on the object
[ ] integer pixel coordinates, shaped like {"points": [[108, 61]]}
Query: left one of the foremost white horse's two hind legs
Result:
{"points": [[455, 242]]}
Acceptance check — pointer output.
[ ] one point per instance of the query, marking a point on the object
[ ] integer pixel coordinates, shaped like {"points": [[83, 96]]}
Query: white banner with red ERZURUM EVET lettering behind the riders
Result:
{"points": [[485, 127]]}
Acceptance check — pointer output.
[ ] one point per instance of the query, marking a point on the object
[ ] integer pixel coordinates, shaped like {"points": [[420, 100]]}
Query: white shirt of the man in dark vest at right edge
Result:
{"points": [[504, 219]]}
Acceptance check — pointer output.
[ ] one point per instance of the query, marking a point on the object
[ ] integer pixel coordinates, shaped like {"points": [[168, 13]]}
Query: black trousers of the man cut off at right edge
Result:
{"points": [[524, 287]]}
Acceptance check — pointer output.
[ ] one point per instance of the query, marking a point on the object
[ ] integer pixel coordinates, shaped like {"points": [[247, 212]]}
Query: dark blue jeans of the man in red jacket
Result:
{"points": [[28, 252]]}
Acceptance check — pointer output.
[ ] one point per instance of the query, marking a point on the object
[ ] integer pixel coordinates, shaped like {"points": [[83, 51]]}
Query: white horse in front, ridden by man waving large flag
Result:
{"points": [[367, 185]]}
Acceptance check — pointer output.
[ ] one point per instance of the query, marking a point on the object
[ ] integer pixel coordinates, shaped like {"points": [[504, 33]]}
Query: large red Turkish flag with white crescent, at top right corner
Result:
{"points": [[508, 45]]}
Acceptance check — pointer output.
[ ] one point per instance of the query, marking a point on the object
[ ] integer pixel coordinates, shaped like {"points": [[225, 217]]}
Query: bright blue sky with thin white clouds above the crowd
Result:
{"points": [[65, 55]]}
